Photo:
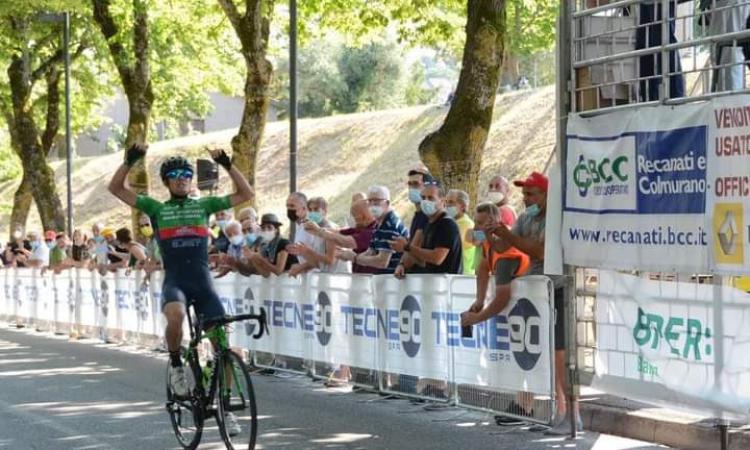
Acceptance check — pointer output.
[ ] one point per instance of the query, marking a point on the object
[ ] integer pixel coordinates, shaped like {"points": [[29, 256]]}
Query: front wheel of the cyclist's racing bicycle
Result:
{"points": [[235, 389]]}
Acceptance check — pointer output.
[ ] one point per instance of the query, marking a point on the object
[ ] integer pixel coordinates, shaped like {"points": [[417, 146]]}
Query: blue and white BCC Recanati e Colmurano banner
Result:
{"points": [[635, 190]]}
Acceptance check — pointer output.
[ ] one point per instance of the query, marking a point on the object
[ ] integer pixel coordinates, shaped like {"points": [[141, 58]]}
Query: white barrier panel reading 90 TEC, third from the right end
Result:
{"points": [[343, 320]]}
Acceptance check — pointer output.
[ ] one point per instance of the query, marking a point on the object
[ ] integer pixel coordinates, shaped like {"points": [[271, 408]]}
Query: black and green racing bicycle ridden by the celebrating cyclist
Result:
{"points": [[225, 374]]}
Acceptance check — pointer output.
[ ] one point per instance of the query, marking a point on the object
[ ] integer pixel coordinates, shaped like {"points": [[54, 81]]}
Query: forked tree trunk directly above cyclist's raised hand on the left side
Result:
{"points": [[136, 82]]}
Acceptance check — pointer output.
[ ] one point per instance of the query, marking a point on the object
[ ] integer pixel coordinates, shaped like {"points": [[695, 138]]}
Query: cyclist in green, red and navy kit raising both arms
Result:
{"points": [[181, 225]]}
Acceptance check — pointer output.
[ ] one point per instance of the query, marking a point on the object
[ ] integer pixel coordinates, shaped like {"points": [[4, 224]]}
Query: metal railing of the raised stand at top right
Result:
{"points": [[628, 52]]}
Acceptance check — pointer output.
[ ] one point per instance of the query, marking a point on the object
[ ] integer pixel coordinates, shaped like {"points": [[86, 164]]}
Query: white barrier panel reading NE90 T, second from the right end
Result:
{"points": [[411, 326]]}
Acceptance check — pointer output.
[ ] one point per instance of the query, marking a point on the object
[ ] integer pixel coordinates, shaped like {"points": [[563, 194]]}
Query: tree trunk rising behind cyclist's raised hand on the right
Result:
{"points": [[252, 29]]}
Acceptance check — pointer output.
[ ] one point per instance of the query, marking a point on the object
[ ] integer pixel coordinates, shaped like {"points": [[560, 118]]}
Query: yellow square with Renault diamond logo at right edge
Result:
{"points": [[728, 233]]}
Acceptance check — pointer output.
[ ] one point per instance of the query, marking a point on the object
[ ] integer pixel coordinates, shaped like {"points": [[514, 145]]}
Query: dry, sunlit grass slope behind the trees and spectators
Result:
{"points": [[337, 156]]}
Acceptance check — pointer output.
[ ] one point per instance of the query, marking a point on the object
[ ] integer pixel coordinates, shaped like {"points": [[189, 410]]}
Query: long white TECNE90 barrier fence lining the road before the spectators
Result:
{"points": [[399, 337]]}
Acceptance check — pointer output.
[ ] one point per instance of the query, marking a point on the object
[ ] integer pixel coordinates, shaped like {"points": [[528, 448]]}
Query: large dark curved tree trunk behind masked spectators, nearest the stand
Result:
{"points": [[454, 152]]}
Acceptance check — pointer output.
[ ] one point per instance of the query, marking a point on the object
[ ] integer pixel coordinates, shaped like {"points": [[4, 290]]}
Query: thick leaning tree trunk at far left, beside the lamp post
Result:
{"points": [[41, 177]]}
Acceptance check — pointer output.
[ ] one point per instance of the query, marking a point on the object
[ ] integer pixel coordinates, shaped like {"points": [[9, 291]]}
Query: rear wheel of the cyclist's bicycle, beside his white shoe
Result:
{"points": [[186, 414]]}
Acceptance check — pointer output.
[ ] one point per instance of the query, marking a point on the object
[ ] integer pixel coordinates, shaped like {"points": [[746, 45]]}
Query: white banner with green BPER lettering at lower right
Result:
{"points": [[673, 343]]}
